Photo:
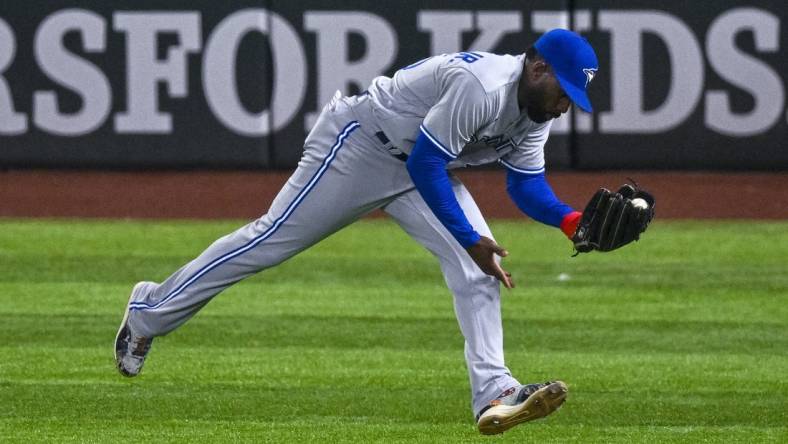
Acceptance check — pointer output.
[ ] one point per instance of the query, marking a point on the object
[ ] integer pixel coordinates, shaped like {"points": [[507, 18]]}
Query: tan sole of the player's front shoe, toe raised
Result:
{"points": [[541, 403]]}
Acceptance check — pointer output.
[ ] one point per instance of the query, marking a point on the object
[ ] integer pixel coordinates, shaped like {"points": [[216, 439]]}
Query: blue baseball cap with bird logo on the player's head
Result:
{"points": [[573, 61]]}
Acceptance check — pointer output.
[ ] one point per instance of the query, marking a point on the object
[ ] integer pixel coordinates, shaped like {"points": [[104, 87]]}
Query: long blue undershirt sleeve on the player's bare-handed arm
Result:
{"points": [[427, 167]]}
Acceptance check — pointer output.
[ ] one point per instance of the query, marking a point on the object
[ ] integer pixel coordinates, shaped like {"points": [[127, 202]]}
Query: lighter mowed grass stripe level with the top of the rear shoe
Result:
{"points": [[530, 301]]}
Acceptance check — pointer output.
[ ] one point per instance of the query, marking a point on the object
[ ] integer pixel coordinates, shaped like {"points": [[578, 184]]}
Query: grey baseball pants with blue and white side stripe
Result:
{"points": [[344, 174]]}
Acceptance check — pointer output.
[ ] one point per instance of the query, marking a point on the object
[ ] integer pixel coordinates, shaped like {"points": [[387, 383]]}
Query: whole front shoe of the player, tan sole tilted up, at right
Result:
{"points": [[521, 404]]}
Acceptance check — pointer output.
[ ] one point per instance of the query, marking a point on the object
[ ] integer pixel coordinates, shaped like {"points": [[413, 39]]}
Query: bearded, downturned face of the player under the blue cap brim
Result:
{"points": [[545, 99]]}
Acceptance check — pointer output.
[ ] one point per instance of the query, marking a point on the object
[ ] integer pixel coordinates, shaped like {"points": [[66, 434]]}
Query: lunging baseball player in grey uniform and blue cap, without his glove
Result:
{"points": [[393, 147]]}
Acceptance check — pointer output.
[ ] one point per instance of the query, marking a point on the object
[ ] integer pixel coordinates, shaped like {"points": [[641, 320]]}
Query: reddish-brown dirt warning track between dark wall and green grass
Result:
{"points": [[248, 194]]}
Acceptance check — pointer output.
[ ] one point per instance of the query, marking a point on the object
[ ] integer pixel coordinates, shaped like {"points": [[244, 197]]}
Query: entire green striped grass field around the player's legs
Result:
{"points": [[681, 338]]}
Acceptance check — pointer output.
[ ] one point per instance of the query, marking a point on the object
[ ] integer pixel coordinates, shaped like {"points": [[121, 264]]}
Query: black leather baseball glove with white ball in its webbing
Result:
{"points": [[612, 220]]}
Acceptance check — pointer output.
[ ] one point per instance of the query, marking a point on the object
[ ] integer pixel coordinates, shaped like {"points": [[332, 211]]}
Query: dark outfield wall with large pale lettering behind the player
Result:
{"points": [[205, 84]]}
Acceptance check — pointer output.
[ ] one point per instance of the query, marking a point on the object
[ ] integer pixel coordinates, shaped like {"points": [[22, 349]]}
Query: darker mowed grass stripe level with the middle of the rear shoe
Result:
{"points": [[252, 331]]}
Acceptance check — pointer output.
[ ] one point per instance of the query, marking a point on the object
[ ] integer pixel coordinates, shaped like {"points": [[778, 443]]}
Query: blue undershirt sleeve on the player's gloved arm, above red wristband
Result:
{"points": [[534, 197]]}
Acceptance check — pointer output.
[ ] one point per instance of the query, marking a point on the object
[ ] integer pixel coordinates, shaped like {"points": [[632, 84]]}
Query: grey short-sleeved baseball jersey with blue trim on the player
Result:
{"points": [[467, 104]]}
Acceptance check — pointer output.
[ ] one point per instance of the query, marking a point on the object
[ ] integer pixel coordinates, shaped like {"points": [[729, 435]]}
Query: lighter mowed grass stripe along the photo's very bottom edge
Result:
{"points": [[344, 430]]}
